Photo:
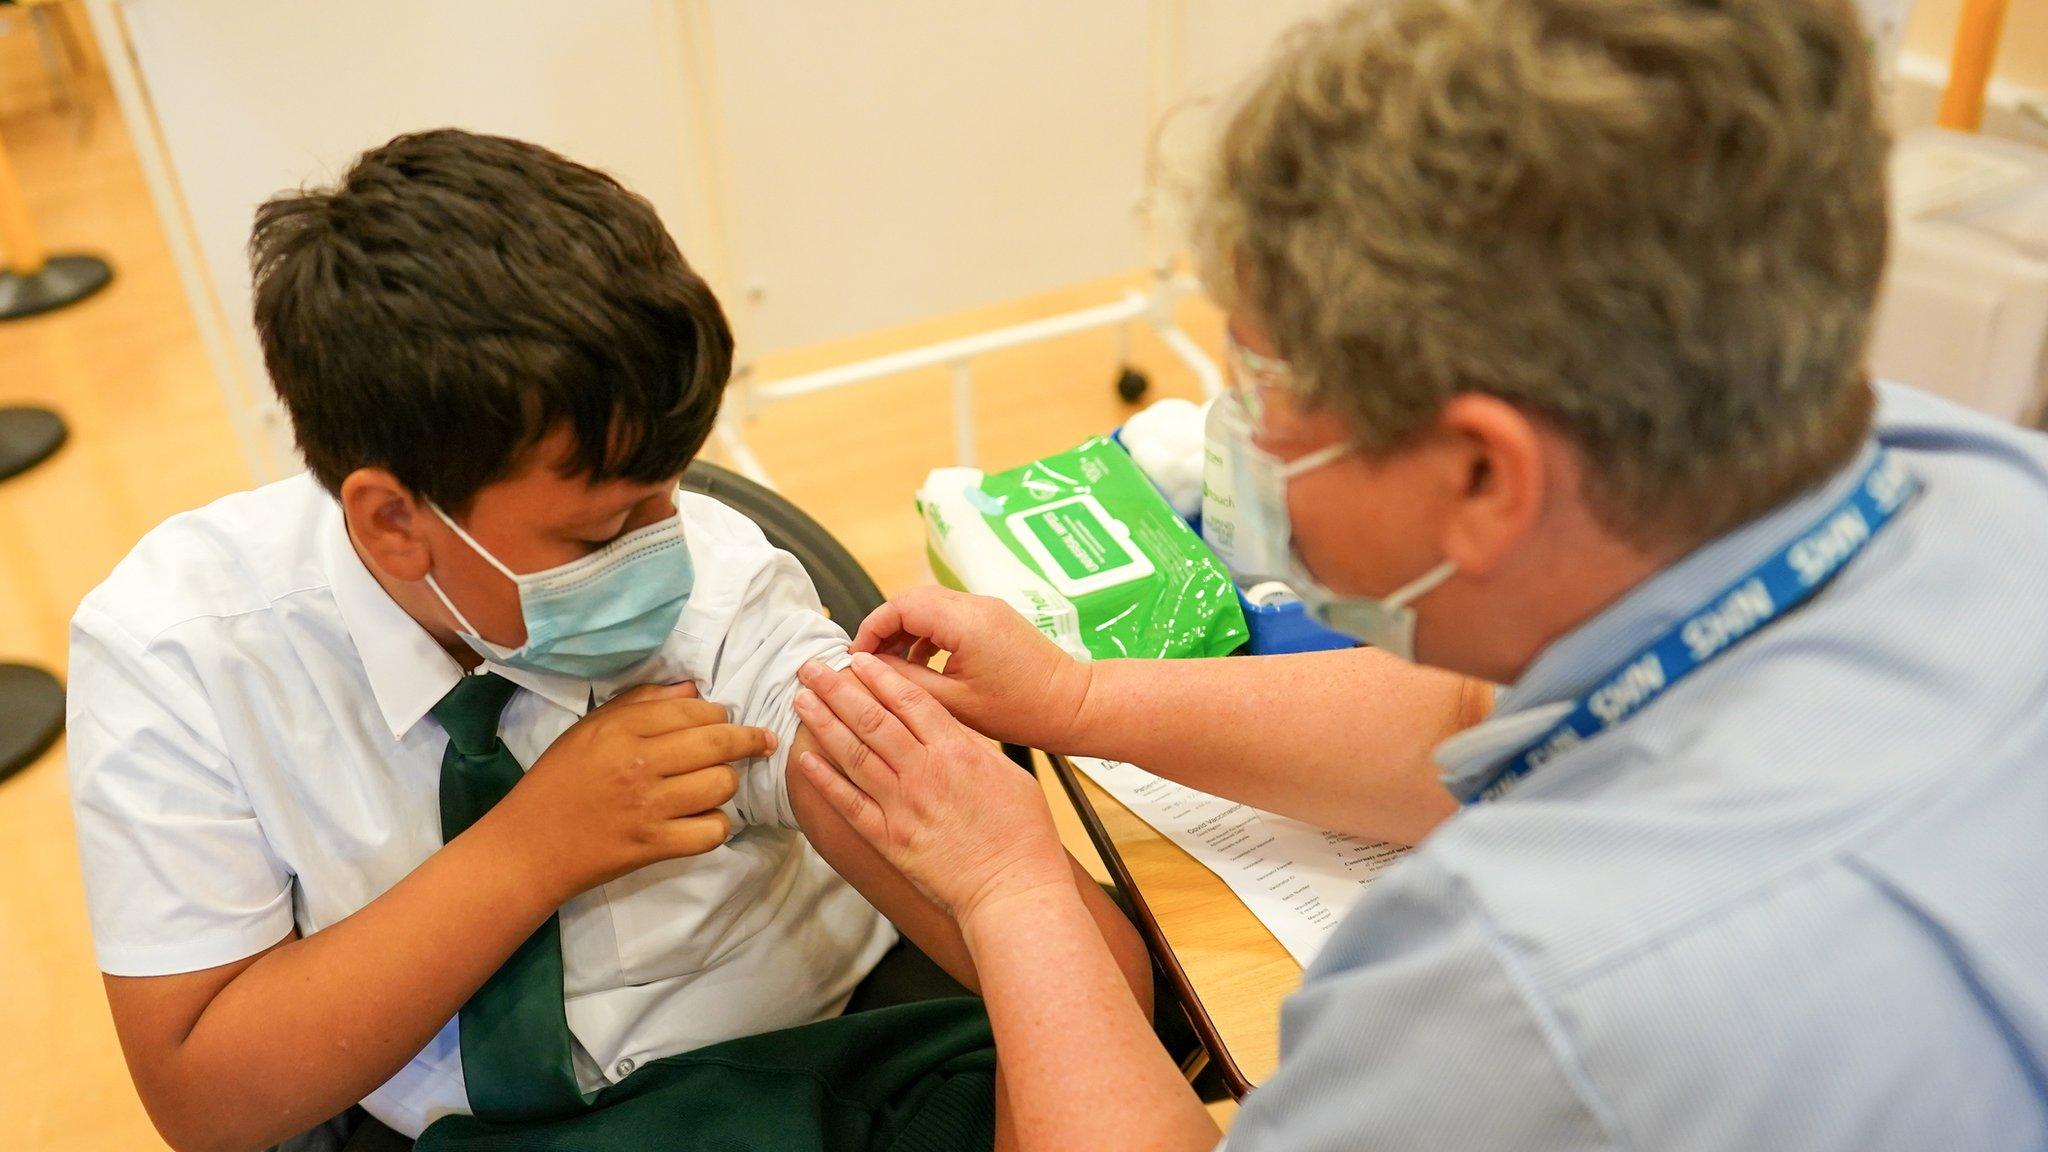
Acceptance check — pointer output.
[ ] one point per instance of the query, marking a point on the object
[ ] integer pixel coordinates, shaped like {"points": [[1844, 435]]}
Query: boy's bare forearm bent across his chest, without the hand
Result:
{"points": [[318, 1024]]}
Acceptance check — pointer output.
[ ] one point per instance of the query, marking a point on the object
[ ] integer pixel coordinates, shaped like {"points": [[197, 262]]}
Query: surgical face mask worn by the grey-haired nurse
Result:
{"points": [[1383, 622]]}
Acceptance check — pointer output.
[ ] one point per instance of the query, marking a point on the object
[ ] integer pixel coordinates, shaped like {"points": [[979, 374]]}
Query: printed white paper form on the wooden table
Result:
{"points": [[1299, 880]]}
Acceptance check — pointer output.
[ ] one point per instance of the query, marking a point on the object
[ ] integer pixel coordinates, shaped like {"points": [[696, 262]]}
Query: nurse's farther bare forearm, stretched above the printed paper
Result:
{"points": [[1338, 739]]}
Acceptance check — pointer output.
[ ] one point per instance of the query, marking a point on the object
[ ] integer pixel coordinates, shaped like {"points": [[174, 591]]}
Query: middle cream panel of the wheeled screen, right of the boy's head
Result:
{"points": [[898, 161]]}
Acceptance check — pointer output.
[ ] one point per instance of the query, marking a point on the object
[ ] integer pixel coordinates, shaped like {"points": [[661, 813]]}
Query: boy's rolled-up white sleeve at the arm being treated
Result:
{"points": [[777, 624]]}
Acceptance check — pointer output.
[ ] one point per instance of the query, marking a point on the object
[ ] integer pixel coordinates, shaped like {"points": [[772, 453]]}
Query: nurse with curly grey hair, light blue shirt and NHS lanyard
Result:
{"points": [[1553, 321]]}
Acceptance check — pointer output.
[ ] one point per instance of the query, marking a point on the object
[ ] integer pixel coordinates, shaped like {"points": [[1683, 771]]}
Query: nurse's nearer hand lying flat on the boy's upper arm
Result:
{"points": [[941, 805]]}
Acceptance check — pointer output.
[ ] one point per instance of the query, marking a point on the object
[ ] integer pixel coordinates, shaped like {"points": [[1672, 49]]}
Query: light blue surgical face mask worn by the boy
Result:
{"points": [[595, 616]]}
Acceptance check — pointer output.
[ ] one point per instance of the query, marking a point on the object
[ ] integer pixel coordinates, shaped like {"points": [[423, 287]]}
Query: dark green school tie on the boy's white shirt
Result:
{"points": [[515, 1032]]}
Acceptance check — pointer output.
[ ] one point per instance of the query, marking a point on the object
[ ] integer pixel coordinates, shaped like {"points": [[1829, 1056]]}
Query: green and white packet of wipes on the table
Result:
{"points": [[1084, 548]]}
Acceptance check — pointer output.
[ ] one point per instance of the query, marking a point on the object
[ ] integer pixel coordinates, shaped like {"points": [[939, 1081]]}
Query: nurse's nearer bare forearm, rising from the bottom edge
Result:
{"points": [[1080, 1063]]}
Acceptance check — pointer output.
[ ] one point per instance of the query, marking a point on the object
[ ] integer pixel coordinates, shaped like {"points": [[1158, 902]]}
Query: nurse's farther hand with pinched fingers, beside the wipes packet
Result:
{"points": [[1002, 677]]}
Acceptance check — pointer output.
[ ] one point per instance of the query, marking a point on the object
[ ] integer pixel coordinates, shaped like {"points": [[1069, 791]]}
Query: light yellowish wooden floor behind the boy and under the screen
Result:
{"points": [[151, 438]]}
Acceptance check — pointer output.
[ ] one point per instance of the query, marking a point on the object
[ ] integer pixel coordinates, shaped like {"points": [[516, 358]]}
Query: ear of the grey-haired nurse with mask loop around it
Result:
{"points": [[1500, 468]]}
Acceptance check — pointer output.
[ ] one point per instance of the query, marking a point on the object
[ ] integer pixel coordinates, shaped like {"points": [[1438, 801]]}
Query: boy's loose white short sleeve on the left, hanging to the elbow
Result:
{"points": [[179, 874]]}
